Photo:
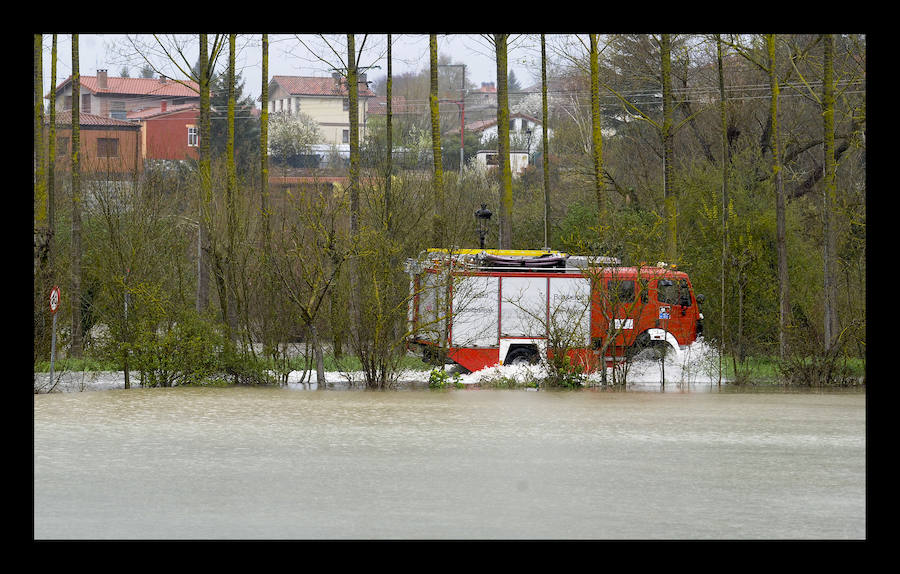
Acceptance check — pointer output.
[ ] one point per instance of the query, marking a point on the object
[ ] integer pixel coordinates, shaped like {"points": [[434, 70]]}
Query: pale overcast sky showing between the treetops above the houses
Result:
{"points": [[288, 57]]}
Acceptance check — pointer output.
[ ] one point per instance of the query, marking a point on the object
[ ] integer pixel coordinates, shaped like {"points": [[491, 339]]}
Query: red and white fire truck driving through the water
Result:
{"points": [[480, 308]]}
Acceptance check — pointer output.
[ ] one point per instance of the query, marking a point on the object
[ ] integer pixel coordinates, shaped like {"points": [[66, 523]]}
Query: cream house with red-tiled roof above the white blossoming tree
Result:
{"points": [[325, 99]]}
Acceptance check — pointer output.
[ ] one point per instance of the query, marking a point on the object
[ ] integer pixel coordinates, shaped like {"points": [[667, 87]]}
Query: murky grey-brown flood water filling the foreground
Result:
{"points": [[270, 463]]}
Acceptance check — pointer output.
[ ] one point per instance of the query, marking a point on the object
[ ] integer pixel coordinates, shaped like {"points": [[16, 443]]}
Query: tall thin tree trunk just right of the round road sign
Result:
{"points": [[77, 343]]}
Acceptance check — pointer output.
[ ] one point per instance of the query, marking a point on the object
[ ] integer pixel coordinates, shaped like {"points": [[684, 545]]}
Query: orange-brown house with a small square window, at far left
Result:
{"points": [[109, 148]]}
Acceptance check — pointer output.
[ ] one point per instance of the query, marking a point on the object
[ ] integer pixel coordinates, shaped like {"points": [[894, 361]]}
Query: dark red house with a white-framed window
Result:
{"points": [[169, 132]]}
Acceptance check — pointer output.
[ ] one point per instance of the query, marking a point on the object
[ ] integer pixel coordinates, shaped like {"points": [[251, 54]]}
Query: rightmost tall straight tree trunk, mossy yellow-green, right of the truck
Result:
{"points": [[830, 193]]}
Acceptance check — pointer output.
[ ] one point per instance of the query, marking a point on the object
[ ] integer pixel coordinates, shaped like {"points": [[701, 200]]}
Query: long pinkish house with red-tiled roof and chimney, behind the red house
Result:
{"points": [[115, 97]]}
